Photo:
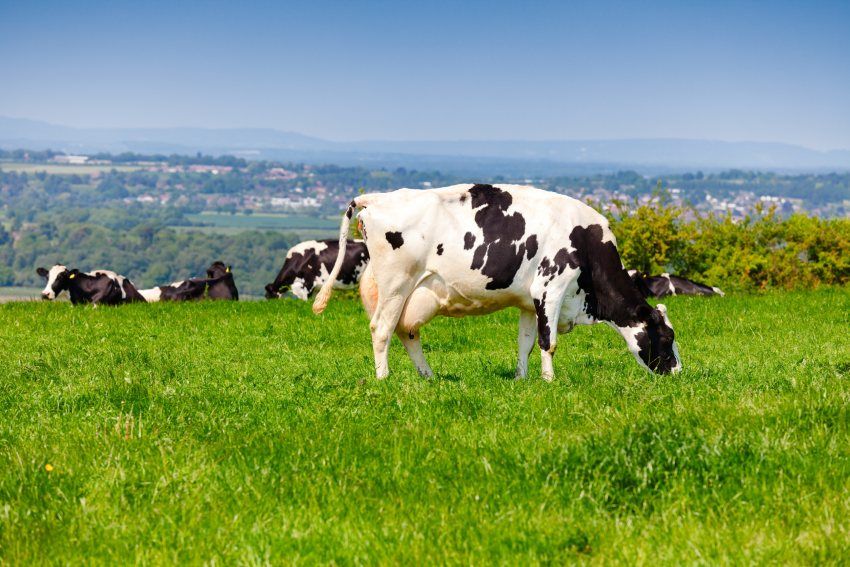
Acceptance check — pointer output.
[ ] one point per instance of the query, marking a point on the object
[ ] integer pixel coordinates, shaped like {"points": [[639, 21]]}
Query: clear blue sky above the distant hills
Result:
{"points": [[763, 71]]}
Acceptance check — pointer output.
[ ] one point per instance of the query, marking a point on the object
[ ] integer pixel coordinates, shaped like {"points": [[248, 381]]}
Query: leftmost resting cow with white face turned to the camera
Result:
{"points": [[97, 287]]}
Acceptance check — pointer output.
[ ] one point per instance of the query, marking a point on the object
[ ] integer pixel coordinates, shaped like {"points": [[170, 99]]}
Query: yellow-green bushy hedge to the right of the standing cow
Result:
{"points": [[759, 252]]}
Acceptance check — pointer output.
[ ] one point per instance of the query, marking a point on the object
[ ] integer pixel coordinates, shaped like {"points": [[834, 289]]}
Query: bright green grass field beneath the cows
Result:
{"points": [[255, 433]]}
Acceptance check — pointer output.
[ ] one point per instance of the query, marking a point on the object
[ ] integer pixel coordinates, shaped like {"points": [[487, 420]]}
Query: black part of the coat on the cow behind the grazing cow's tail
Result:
{"points": [[307, 265]]}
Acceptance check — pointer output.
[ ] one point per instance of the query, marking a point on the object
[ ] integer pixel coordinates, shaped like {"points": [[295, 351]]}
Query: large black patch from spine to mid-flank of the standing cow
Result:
{"points": [[499, 256]]}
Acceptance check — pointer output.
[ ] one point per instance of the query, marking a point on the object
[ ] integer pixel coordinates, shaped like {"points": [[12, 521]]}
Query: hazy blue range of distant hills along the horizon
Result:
{"points": [[511, 157]]}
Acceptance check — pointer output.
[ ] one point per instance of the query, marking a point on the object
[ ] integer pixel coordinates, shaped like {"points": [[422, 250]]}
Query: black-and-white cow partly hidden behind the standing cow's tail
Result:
{"points": [[308, 264]]}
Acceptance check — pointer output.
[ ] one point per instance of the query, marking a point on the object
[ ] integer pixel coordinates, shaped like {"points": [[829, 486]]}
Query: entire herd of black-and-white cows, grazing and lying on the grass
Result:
{"points": [[452, 251]]}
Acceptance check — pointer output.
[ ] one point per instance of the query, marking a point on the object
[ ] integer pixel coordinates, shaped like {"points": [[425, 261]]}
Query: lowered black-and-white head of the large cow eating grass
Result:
{"points": [[652, 340]]}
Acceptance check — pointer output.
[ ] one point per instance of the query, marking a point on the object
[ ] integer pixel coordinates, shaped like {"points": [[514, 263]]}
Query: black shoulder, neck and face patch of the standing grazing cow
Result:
{"points": [[612, 296]]}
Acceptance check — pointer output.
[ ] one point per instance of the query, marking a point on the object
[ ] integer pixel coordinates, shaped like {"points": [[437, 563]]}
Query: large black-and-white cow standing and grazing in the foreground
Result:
{"points": [[474, 249]]}
